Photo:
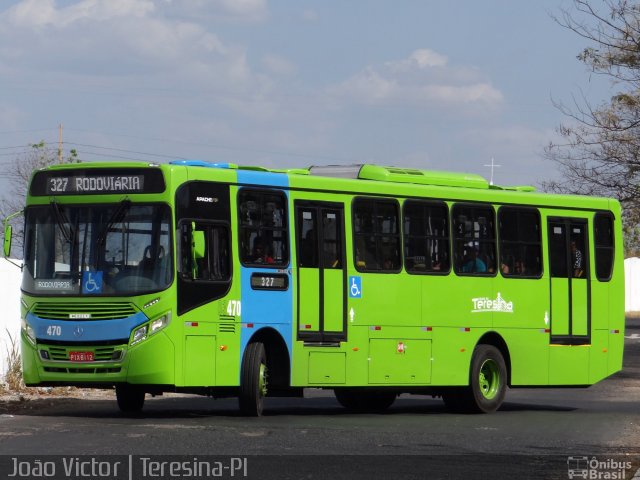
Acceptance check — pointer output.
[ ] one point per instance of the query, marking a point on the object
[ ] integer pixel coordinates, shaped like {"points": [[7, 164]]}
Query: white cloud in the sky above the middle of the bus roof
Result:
{"points": [[423, 79]]}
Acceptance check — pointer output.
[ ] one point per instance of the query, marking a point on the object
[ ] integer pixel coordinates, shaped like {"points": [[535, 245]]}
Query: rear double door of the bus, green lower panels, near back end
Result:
{"points": [[570, 287]]}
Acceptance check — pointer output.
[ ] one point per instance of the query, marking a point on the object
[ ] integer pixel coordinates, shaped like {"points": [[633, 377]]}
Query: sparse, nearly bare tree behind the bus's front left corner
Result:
{"points": [[17, 175]]}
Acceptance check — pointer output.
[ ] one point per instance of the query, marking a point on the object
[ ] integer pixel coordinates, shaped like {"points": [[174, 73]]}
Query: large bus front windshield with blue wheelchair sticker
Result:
{"points": [[116, 249]]}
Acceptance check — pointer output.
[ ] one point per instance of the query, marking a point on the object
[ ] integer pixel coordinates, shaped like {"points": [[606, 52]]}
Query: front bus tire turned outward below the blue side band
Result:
{"points": [[253, 380]]}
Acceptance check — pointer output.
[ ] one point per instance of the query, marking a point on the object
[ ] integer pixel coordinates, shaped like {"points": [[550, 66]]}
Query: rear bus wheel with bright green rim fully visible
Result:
{"points": [[487, 381]]}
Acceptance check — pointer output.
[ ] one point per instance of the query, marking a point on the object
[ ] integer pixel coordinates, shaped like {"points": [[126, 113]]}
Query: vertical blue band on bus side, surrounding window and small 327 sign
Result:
{"points": [[266, 308]]}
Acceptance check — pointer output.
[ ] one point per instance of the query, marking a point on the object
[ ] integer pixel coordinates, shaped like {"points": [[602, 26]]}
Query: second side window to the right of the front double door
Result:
{"points": [[426, 237]]}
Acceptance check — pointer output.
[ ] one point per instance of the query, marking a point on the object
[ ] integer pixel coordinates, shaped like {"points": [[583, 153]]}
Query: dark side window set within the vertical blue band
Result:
{"points": [[263, 228]]}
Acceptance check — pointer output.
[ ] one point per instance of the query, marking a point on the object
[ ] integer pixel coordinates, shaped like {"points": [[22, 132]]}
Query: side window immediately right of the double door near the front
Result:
{"points": [[376, 235]]}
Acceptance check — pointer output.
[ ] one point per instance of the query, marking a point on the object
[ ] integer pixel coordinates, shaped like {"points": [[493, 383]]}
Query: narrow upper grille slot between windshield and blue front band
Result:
{"points": [[84, 311]]}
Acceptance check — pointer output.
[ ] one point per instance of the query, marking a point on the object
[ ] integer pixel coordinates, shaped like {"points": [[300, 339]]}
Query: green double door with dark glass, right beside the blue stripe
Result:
{"points": [[322, 311]]}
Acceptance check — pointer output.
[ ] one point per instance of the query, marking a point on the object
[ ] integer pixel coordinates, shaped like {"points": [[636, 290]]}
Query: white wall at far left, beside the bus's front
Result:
{"points": [[10, 278]]}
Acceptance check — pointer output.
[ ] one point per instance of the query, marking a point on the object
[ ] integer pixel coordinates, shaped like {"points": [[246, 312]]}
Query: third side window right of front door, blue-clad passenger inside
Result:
{"points": [[475, 244]]}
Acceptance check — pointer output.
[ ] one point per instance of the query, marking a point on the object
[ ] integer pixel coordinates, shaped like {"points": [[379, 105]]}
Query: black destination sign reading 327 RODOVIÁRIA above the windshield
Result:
{"points": [[97, 181]]}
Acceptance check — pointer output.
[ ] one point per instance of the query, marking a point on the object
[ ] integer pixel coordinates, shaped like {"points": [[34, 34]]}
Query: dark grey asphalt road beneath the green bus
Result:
{"points": [[531, 436]]}
